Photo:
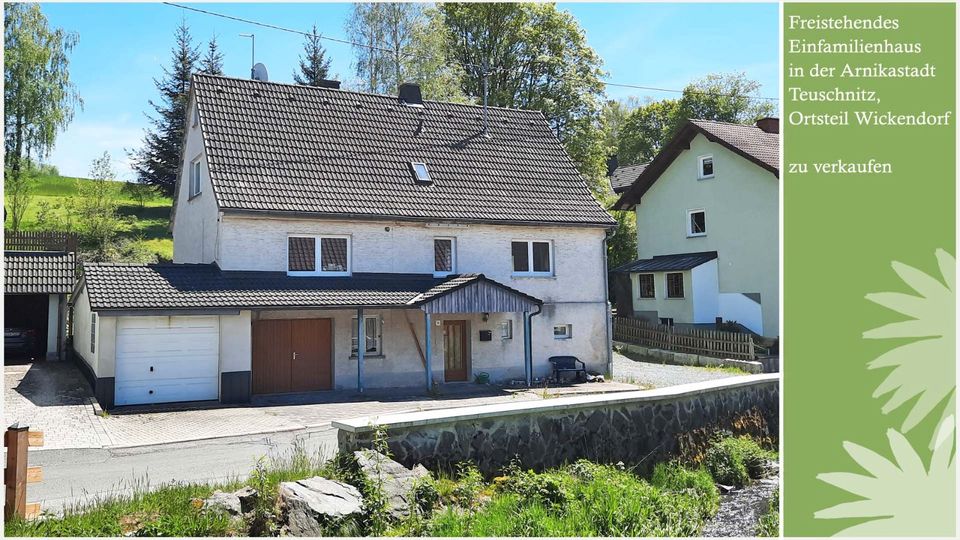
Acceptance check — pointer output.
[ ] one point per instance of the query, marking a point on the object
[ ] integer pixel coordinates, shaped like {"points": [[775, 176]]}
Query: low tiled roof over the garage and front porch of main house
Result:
{"points": [[138, 287]]}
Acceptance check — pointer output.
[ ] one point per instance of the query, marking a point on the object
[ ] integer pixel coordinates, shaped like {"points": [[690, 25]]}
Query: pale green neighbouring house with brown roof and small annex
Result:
{"points": [[707, 228]]}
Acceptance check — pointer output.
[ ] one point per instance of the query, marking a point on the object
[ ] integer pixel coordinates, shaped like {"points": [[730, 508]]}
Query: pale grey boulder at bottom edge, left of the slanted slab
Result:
{"points": [[309, 503]]}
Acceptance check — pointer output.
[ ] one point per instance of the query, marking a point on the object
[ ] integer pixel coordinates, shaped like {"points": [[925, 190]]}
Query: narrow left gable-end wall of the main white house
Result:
{"points": [[196, 219]]}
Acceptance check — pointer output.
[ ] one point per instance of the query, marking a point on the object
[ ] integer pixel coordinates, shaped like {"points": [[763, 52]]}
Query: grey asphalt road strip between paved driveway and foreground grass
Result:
{"points": [[75, 476]]}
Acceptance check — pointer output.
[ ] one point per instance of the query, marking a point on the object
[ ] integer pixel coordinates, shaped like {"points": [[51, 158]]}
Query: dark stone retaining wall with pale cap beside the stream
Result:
{"points": [[638, 428]]}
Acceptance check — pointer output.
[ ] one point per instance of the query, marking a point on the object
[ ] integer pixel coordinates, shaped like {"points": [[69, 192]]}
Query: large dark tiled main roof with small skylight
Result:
{"points": [[301, 149]]}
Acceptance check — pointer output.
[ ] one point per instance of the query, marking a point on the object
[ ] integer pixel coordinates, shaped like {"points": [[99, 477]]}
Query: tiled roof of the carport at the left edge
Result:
{"points": [[38, 272]]}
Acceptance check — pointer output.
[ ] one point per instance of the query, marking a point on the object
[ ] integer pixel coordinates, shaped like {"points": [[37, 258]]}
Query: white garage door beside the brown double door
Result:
{"points": [[165, 359]]}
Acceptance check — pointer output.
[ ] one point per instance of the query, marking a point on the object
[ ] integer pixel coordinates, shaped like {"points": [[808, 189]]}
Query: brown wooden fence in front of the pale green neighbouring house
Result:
{"points": [[686, 340]]}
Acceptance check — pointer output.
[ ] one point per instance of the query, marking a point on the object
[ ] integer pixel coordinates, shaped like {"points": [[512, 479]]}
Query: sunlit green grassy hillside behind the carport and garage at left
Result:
{"points": [[147, 226]]}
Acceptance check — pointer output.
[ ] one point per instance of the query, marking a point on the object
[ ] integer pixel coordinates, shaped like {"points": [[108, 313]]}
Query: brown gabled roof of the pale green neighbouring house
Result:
{"points": [[748, 141]]}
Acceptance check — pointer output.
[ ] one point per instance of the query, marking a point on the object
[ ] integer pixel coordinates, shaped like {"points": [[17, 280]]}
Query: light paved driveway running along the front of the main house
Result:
{"points": [[53, 397]]}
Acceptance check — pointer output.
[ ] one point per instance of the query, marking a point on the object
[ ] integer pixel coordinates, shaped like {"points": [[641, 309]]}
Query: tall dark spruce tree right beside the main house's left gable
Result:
{"points": [[158, 161]]}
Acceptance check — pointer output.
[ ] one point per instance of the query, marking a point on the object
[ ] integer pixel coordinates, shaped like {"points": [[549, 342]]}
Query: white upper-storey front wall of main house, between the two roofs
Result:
{"points": [[408, 247]]}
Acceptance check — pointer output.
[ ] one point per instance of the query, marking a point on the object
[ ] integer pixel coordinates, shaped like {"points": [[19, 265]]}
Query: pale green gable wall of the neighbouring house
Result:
{"points": [[741, 205]]}
